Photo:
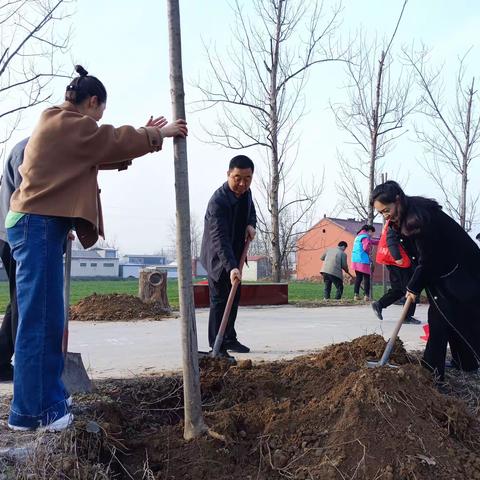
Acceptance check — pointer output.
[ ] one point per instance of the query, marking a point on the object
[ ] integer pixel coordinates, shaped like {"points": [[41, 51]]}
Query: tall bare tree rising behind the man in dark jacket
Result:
{"points": [[257, 87]]}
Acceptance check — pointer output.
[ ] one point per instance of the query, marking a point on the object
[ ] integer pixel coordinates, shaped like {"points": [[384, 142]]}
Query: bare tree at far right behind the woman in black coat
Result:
{"points": [[452, 140]]}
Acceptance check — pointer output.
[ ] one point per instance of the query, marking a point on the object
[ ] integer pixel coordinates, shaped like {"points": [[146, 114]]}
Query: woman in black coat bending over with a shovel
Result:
{"points": [[447, 266]]}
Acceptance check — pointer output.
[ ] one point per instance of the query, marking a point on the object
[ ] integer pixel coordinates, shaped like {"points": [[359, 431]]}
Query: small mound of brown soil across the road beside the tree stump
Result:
{"points": [[115, 307]]}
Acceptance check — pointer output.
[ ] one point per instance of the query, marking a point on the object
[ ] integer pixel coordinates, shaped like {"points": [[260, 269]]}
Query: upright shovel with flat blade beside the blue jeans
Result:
{"points": [[74, 376]]}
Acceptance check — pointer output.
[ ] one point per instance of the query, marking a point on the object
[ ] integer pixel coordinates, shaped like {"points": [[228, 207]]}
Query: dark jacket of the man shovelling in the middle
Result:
{"points": [[219, 235]]}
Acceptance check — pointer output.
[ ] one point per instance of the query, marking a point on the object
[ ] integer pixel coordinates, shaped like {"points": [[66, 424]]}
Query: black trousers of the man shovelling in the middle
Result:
{"points": [[219, 292]]}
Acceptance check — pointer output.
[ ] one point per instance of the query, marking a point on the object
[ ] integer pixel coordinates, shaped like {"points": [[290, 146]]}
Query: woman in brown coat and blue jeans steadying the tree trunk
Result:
{"points": [[59, 191]]}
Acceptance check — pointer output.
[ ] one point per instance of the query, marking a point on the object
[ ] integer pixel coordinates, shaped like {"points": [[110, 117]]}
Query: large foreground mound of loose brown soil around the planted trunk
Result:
{"points": [[323, 416]]}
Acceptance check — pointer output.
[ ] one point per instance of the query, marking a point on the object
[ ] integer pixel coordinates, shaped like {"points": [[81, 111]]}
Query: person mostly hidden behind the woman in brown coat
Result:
{"points": [[11, 179]]}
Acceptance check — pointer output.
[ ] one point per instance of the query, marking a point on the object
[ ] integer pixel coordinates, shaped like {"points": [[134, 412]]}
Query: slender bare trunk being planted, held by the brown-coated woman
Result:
{"points": [[194, 423]]}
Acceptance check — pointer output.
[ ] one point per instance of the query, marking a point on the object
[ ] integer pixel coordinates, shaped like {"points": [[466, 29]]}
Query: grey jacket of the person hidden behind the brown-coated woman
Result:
{"points": [[10, 181]]}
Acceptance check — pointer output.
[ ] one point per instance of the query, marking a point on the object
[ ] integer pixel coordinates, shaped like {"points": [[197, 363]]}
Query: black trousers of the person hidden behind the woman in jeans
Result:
{"points": [[8, 329]]}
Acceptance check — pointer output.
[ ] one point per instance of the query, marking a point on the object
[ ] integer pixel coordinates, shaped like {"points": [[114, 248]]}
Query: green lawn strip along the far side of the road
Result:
{"points": [[297, 291]]}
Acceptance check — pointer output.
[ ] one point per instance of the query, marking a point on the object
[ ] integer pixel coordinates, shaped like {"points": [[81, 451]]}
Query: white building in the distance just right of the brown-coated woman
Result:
{"points": [[95, 263]]}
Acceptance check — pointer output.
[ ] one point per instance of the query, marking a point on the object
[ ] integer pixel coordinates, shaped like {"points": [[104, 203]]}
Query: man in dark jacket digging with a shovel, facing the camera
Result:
{"points": [[229, 219]]}
